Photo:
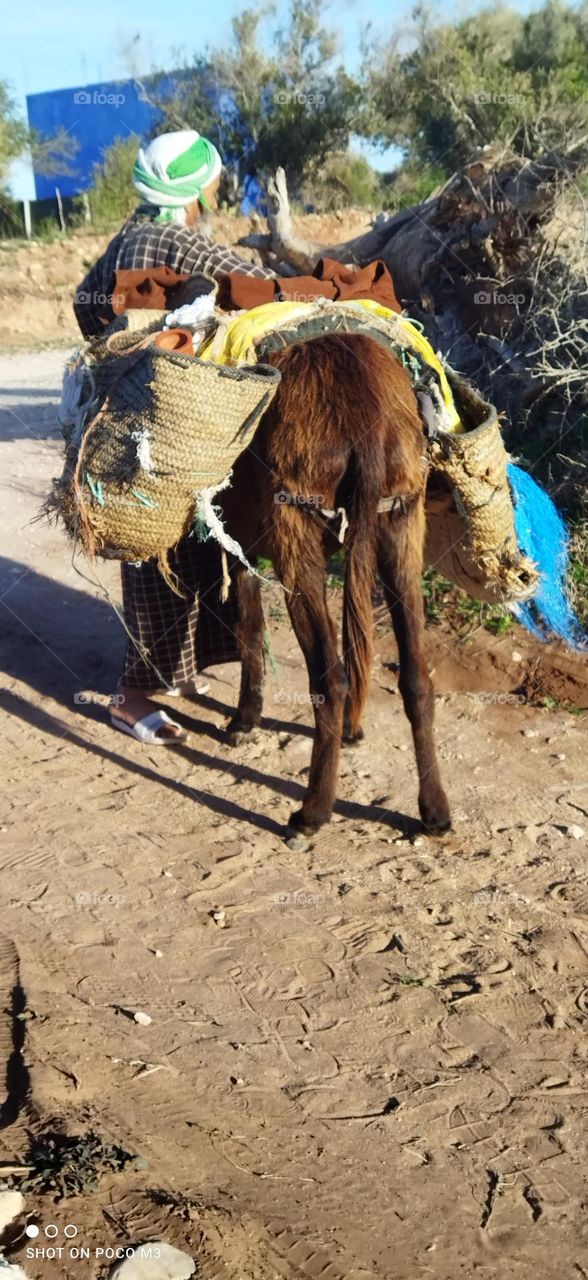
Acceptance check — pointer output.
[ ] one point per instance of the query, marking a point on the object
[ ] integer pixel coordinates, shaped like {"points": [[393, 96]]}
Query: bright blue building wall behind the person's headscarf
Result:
{"points": [[95, 116]]}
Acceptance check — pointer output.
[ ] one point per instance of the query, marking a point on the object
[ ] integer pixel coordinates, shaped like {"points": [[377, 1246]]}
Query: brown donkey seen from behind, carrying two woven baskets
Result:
{"points": [[344, 431]]}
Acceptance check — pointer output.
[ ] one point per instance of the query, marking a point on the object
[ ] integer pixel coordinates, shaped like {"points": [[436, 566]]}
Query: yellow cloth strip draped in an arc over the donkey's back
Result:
{"points": [[235, 342]]}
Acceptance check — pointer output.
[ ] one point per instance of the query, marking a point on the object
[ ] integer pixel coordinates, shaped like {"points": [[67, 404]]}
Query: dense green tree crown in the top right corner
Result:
{"points": [[490, 79]]}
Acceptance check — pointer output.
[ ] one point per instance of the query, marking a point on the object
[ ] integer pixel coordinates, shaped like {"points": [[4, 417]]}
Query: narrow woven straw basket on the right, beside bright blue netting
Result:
{"points": [[471, 524]]}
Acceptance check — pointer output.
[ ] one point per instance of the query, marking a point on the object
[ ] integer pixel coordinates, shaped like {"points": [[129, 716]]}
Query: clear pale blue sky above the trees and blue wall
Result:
{"points": [[60, 44]]}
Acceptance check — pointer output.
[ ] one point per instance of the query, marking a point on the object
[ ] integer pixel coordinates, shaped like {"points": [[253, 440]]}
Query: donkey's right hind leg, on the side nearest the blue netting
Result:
{"points": [[400, 565]]}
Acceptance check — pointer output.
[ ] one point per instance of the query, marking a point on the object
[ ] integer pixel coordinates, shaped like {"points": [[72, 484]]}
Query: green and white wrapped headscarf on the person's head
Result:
{"points": [[174, 171]]}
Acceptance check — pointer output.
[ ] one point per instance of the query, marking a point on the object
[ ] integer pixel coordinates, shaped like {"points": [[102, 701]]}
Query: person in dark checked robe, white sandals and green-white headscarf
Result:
{"points": [[171, 638]]}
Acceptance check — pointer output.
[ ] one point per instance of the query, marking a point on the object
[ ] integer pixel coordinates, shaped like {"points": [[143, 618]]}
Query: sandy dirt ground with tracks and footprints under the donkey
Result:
{"points": [[375, 1063]]}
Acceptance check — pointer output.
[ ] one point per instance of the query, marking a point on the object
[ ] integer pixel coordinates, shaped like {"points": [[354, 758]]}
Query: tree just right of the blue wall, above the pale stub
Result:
{"points": [[286, 100]]}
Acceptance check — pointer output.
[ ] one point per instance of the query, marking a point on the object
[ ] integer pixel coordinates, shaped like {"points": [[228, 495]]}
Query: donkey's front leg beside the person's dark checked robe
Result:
{"points": [[250, 638]]}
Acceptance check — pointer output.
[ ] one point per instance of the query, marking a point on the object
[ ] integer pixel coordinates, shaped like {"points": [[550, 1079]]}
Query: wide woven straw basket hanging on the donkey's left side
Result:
{"points": [[158, 428]]}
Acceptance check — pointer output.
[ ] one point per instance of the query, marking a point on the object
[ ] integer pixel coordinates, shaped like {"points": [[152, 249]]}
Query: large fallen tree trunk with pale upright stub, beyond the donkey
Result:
{"points": [[464, 263]]}
